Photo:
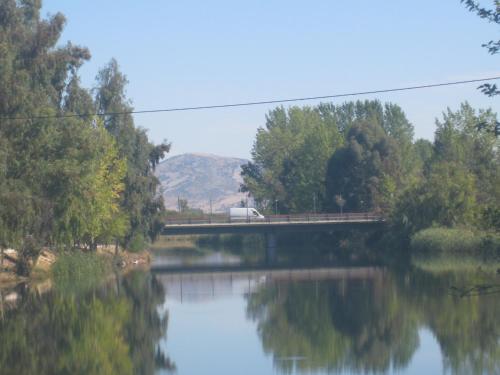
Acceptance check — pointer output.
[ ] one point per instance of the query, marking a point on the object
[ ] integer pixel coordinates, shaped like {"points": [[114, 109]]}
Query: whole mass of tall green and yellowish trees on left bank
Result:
{"points": [[67, 180]]}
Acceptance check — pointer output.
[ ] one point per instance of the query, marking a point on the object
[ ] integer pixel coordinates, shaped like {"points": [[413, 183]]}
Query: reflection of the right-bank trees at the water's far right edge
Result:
{"points": [[467, 329]]}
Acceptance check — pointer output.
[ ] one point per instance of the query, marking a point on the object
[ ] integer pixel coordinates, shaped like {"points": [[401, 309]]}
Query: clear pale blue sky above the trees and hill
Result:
{"points": [[189, 53]]}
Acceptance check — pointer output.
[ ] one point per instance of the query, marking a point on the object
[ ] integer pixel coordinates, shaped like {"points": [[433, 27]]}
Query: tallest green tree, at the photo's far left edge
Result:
{"points": [[33, 82]]}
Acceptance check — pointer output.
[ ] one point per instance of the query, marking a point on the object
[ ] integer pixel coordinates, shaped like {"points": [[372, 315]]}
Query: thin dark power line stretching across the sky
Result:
{"points": [[247, 104]]}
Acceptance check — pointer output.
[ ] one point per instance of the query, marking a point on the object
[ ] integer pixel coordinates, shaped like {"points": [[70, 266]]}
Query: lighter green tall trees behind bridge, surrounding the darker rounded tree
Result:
{"points": [[292, 153]]}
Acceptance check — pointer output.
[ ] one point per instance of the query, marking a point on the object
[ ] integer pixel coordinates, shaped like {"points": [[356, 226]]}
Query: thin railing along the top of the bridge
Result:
{"points": [[269, 219]]}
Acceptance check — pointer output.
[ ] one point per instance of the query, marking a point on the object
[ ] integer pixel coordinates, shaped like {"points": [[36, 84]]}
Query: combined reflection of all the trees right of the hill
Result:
{"points": [[372, 325]]}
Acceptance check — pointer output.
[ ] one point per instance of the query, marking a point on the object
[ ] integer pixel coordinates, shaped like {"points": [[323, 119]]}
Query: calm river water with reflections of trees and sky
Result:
{"points": [[304, 320]]}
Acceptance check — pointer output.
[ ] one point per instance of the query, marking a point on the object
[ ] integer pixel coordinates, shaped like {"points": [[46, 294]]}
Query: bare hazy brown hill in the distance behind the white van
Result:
{"points": [[199, 177]]}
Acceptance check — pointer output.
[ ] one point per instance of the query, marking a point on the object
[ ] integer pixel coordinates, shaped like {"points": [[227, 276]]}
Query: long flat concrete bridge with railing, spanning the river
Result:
{"points": [[275, 224]]}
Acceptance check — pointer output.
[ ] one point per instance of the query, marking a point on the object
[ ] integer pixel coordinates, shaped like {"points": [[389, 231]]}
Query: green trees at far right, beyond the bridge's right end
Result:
{"points": [[460, 183]]}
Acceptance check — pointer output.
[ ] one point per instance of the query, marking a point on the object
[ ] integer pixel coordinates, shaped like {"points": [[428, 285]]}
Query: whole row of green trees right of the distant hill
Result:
{"points": [[360, 156]]}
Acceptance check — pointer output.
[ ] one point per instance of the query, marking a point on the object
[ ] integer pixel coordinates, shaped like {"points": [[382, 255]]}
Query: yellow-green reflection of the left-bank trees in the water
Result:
{"points": [[110, 331]]}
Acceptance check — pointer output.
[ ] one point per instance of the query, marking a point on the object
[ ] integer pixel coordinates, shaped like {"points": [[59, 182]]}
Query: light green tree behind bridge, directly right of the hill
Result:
{"points": [[290, 157]]}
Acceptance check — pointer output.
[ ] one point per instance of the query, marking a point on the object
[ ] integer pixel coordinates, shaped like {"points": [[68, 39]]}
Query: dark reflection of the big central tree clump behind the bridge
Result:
{"points": [[333, 325]]}
